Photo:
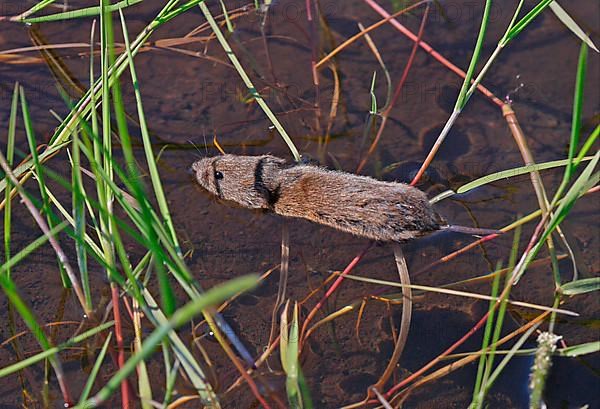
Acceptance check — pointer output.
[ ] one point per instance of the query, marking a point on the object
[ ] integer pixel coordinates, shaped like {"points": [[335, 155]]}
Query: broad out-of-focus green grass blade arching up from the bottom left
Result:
{"points": [[180, 317]]}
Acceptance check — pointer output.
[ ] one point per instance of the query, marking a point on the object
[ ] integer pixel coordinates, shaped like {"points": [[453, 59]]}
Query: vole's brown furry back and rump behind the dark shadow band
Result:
{"points": [[357, 204]]}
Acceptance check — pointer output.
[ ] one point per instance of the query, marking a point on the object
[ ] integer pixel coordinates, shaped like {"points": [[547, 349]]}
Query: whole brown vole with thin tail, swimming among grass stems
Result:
{"points": [[361, 205]]}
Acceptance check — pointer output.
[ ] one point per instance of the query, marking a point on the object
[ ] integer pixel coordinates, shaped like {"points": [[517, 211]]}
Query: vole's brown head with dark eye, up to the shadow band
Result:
{"points": [[250, 181]]}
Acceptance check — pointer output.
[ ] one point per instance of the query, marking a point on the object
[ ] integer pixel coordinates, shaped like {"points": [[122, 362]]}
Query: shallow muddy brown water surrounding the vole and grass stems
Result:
{"points": [[189, 98]]}
